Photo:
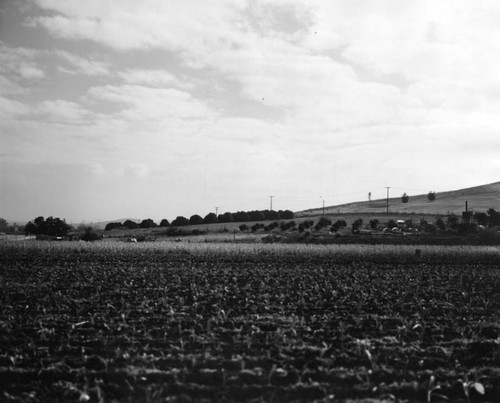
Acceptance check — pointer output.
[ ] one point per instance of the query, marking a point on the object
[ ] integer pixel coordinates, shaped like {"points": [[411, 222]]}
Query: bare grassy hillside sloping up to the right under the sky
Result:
{"points": [[479, 198]]}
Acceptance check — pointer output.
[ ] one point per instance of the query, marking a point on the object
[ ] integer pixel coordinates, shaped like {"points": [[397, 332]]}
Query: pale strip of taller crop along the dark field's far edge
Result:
{"points": [[109, 252]]}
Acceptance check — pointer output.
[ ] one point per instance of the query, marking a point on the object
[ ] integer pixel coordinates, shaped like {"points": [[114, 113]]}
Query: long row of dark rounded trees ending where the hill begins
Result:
{"points": [[210, 218]]}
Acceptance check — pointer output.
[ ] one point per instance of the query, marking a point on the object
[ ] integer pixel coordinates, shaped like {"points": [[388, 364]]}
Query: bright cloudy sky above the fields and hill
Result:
{"points": [[159, 108]]}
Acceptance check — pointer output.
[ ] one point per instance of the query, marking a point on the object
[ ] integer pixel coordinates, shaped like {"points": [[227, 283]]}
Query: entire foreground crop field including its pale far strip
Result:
{"points": [[178, 322]]}
